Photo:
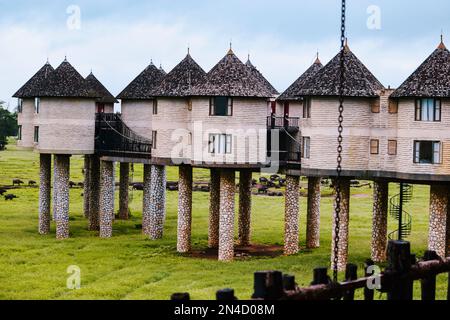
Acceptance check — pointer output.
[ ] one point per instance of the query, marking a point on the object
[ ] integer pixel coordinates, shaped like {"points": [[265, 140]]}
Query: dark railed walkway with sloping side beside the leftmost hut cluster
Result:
{"points": [[114, 138]]}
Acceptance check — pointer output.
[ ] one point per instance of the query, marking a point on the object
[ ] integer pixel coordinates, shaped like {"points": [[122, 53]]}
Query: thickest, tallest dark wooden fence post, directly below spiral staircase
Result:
{"points": [[399, 263]]}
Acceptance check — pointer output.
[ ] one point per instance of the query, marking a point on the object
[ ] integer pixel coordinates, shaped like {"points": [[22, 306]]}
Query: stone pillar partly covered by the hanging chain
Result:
{"points": [[343, 230]]}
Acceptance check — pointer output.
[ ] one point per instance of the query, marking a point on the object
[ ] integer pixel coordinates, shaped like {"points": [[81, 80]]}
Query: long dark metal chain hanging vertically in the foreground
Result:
{"points": [[338, 208]]}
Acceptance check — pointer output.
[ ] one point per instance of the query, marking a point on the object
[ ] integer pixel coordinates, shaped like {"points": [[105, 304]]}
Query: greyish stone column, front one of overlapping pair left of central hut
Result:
{"points": [[157, 202]]}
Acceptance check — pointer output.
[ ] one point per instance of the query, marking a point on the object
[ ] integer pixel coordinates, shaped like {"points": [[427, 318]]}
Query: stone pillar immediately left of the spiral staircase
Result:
{"points": [[380, 220]]}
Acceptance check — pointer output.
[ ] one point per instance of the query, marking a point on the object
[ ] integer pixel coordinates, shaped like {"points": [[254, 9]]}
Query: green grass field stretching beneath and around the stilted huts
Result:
{"points": [[129, 266]]}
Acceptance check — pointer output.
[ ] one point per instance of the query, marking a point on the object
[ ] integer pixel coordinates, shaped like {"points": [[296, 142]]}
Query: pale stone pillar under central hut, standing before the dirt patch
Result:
{"points": [[226, 219]]}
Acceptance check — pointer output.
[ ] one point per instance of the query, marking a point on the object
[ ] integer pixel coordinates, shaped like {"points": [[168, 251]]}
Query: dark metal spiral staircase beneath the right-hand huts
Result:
{"points": [[396, 209]]}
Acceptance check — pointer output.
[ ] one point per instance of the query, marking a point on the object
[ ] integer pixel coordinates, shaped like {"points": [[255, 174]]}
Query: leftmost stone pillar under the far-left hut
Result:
{"points": [[44, 193]]}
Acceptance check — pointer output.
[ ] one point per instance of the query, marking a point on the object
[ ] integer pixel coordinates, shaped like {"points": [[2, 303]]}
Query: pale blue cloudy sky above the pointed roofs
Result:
{"points": [[118, 39]]}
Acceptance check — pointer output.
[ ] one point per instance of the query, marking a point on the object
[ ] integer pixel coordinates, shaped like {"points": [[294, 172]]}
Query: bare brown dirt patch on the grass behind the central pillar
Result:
{"points": [[241, 253]]}
